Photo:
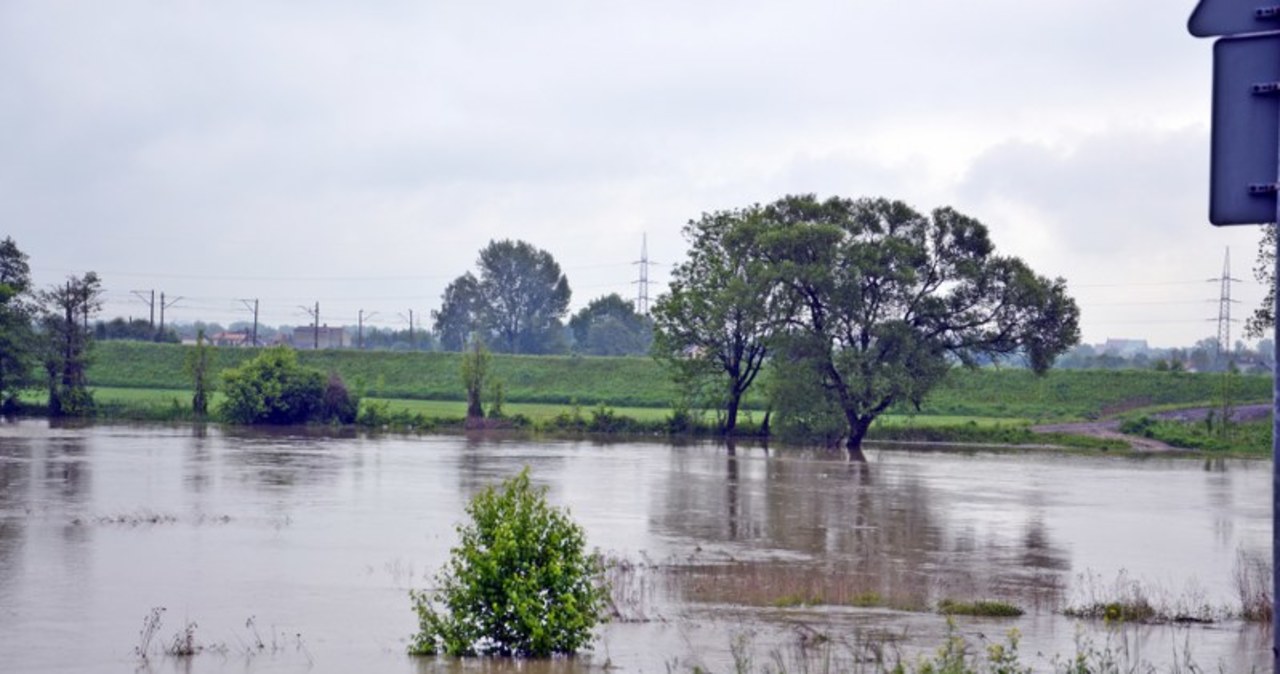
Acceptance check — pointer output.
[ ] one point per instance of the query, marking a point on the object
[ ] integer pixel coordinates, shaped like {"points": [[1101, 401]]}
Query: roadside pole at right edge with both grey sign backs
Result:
{"points": [[1245, 172]]}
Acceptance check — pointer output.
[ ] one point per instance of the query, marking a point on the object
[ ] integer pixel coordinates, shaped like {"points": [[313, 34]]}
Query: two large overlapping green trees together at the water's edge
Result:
{"points": [[856, 305]]}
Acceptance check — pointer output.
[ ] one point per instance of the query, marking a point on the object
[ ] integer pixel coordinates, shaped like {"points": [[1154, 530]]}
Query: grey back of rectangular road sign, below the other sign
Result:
{"points": [[1246, 131]]}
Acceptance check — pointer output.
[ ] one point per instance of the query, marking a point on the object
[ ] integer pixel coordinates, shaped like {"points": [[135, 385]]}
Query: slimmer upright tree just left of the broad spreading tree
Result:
{"points": [[721, 309]]}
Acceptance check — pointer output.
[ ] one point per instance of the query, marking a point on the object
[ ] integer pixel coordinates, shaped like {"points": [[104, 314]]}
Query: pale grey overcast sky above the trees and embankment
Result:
{"points": [[360, 154]]}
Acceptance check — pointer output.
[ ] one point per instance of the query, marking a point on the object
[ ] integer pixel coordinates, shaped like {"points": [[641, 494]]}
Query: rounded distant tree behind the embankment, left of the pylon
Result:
{"points": [[518, 301]]}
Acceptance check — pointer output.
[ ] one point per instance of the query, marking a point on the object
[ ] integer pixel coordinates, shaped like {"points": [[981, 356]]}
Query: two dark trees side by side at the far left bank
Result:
{"points": [[48, 331]]}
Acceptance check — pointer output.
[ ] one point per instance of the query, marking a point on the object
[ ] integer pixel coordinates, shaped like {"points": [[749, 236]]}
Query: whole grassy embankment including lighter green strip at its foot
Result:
{"points": [[149, 382]]}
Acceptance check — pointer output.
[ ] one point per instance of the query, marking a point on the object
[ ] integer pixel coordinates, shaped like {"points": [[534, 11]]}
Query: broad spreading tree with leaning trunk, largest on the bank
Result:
{"points": [[886, 300]]}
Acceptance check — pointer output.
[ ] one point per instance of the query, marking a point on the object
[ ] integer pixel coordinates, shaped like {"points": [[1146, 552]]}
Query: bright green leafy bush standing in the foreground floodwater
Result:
{"points": [[520, 583]]}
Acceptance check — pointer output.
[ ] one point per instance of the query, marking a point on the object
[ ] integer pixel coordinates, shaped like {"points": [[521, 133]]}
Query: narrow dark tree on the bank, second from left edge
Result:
{"points": [[67, 341]]}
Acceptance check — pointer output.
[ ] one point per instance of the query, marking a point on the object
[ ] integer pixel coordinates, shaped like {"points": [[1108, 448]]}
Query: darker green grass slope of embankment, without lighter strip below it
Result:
{"points": [[643, 384]]}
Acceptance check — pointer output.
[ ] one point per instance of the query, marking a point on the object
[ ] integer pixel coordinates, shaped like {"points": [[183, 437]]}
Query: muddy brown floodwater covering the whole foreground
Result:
{"points": [[295, 552]]}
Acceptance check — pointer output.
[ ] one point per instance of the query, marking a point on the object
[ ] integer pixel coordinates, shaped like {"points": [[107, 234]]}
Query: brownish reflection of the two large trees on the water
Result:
{"points": [[880, 528]]}
